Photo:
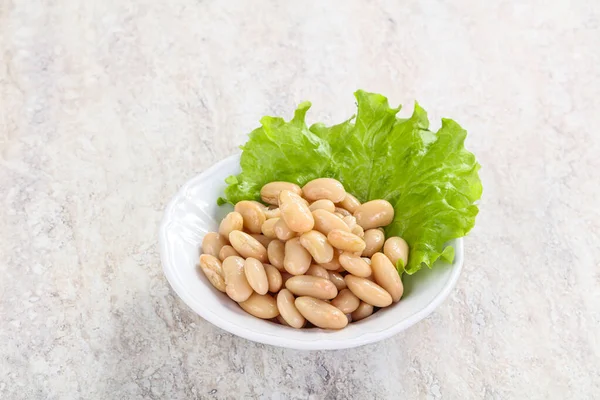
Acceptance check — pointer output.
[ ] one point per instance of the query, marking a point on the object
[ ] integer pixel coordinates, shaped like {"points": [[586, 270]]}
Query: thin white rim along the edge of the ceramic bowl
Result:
{"points": [[282, 341]]}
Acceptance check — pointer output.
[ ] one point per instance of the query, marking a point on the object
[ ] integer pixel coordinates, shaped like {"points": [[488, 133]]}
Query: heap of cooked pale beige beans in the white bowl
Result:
{"points": [[320, 253]]}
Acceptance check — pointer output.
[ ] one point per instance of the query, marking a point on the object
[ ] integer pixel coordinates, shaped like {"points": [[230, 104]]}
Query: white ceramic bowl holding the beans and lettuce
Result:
{"points": [[193, 212]]}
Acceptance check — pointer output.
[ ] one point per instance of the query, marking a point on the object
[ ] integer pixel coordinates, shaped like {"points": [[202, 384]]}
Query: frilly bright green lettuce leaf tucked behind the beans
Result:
{"points": [[429, 177]]}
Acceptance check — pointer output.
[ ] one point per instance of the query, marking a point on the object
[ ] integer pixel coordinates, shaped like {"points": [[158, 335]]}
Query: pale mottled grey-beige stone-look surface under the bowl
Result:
{"points": [[106, 108]]}
